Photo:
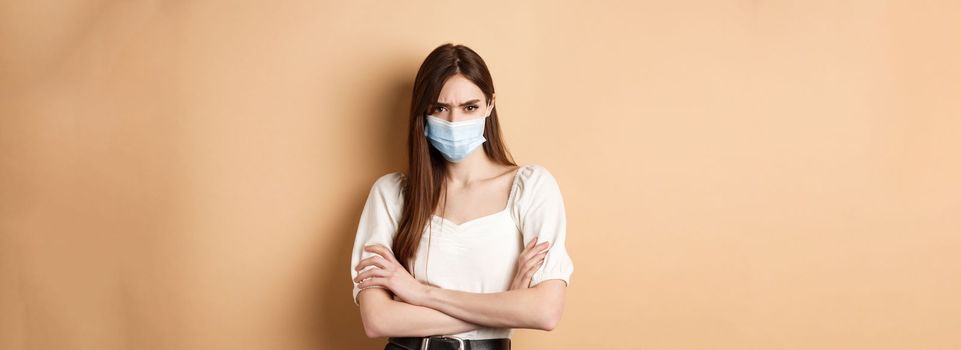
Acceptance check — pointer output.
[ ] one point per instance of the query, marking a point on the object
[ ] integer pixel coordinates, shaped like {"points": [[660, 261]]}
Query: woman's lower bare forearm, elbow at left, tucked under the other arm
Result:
{"points": [[385, 317]]}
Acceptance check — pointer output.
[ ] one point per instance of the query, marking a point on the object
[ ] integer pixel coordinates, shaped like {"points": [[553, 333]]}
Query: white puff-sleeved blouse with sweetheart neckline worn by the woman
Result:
{"points": [[478, 255]]}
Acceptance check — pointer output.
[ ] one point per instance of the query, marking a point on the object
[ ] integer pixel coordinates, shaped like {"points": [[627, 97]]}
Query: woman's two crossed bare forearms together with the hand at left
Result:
{"points": [[426, 310]]}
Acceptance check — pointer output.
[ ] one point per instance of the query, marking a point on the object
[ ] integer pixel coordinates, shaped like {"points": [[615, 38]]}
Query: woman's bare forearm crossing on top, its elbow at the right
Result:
{"points": [[520, 308]]}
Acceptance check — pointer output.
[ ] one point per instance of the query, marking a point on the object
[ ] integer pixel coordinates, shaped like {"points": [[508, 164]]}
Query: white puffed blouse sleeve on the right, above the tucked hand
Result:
{"points": [[541, 209]]}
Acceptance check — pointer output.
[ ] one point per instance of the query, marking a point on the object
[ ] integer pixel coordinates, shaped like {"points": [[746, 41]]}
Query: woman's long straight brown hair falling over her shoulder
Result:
{"points": [[427, 168]]}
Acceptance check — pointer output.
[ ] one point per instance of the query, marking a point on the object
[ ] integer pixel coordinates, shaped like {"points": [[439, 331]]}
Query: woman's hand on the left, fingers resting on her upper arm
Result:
{"points": [[390, 274]]}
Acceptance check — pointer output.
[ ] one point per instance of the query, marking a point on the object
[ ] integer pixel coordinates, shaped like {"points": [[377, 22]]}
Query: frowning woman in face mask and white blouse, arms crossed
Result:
{"points": [[466, 245]]}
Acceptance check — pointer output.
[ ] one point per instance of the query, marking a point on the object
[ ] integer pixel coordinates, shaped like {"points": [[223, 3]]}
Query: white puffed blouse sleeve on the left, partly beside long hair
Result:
{"points": [[378, 221]]}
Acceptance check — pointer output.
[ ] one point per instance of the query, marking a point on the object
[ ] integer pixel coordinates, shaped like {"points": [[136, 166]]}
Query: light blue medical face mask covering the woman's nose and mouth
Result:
{"points": [[455, 140]]}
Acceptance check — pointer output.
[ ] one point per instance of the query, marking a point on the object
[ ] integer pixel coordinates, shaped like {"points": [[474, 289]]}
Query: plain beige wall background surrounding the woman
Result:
{"points": [[737, 174]]}
